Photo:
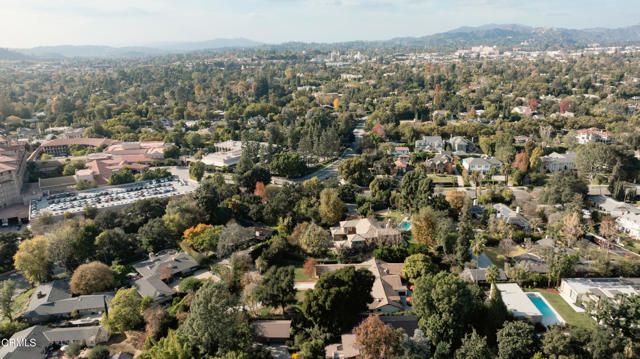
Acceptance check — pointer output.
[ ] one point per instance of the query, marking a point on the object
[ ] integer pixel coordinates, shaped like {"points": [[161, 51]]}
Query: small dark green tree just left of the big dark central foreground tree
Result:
{"points": [[276, 287]]}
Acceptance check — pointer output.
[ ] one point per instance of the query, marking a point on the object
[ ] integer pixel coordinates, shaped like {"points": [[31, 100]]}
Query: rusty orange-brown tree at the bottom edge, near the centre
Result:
{"points": [[375, 339]]}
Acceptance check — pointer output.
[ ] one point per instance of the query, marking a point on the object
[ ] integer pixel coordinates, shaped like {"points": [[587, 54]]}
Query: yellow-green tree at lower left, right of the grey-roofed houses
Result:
{"points": [[125, 311]]}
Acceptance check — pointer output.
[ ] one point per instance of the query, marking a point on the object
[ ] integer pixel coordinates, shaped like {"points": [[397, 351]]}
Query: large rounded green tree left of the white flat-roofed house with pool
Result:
{"points": [[444, 304]]}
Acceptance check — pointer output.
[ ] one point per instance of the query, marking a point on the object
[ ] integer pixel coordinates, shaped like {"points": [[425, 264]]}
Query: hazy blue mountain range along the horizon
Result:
{"points": [[491, 34]]}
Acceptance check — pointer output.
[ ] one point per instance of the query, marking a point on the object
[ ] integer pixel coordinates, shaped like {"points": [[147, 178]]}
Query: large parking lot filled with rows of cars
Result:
{"points": [[107, 197]]}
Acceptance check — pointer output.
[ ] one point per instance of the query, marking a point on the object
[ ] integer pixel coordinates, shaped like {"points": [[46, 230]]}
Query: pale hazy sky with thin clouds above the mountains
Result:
{"points": [[29, 23]]}
